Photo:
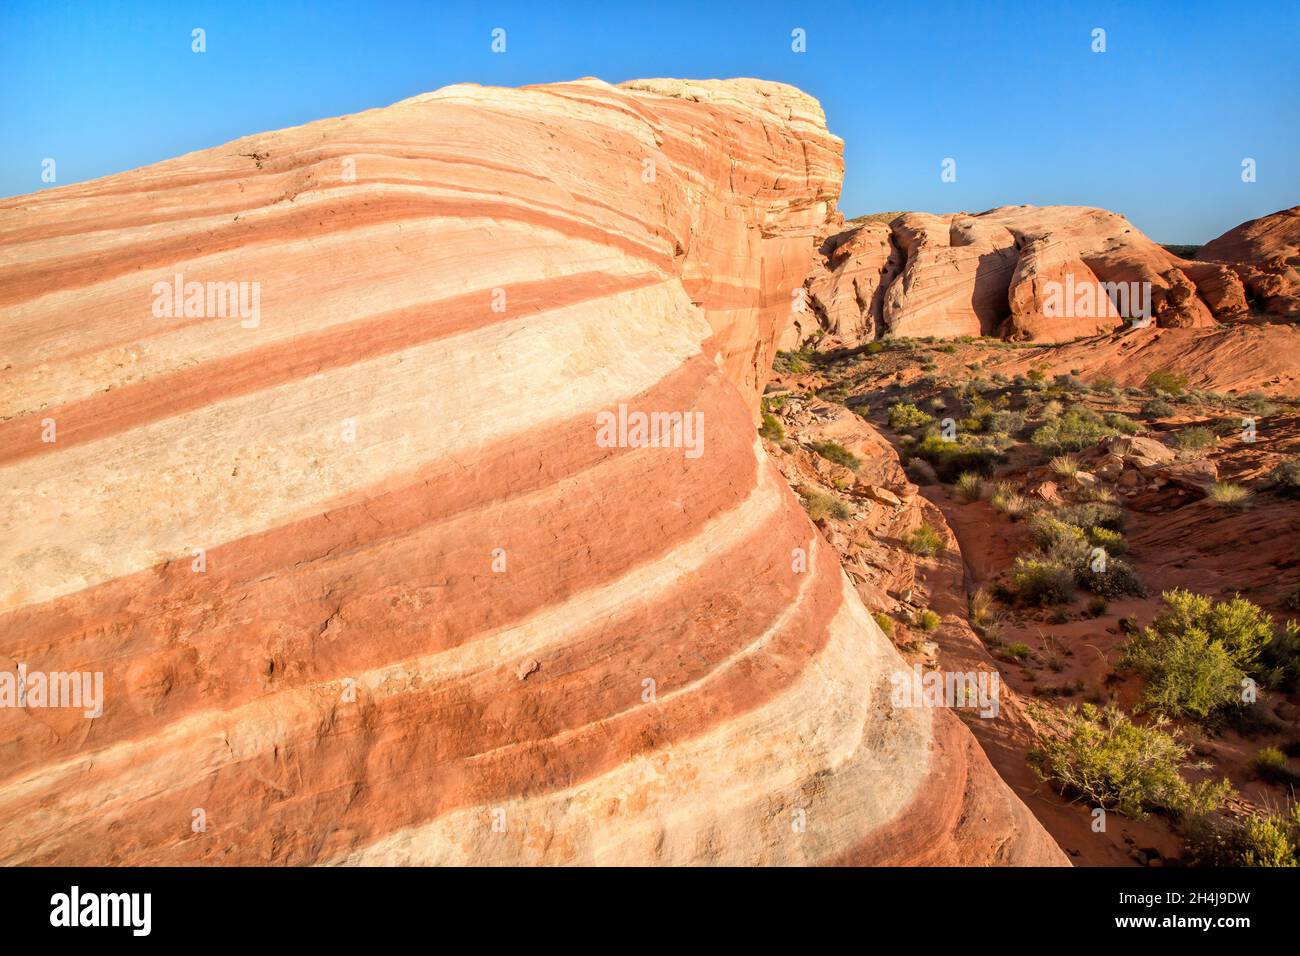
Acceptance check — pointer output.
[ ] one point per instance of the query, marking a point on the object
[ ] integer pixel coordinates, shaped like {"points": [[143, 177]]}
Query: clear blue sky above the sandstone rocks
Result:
{"points": [[1155, 128]]}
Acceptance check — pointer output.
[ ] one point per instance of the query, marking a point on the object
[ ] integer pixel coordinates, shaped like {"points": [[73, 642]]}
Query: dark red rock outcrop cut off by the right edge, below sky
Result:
{"points": [[1266, 254]]}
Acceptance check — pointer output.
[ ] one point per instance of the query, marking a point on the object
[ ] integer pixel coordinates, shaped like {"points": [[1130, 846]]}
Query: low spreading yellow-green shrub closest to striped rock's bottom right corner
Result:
{"points": [[1102, 756]]}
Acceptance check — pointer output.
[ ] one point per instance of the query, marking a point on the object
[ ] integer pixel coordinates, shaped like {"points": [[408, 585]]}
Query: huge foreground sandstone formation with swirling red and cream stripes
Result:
{"points": [[376, 565]]}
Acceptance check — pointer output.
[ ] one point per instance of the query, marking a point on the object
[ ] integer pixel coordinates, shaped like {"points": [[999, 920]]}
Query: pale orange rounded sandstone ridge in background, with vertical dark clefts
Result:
{"points": [[1022, 272]]}
